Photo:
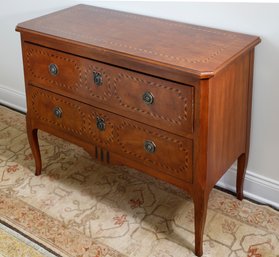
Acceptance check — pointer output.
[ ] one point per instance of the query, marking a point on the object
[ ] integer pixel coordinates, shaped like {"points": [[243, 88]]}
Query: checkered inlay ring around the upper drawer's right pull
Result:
{"points": [[176, 120]]}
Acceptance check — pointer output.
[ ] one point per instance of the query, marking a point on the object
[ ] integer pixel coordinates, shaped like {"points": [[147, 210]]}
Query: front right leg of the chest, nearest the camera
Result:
{"points": [[200, 203]]}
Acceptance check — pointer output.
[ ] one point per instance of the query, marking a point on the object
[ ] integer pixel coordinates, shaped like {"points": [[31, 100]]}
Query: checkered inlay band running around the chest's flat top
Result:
{"points": [[42, 24]]}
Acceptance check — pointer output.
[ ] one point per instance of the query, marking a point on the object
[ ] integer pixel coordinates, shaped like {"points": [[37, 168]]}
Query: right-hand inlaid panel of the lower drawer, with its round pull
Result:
{"points": [[155, 148]]}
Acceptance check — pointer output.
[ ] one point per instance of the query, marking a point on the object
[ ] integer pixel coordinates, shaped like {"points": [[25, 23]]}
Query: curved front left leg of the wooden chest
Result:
{"points": [[32, 134]]}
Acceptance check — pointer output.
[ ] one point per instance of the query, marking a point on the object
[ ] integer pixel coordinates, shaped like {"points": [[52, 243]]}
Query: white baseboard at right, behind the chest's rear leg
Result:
{"points": [[256, 187]]}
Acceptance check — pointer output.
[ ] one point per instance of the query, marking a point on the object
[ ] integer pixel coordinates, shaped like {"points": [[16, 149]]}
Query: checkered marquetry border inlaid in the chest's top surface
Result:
{"points": [[70, 14]]}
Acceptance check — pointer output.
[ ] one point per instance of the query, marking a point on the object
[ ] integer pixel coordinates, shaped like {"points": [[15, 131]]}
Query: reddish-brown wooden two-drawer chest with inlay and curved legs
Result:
{"points": [[170, 99]]}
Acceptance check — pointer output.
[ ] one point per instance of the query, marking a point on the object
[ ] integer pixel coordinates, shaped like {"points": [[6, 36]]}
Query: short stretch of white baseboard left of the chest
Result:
{"points": [[12, 98]]}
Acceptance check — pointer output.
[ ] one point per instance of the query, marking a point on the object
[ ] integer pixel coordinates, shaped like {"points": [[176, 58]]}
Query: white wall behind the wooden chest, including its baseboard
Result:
{"points": [[253, 18]]}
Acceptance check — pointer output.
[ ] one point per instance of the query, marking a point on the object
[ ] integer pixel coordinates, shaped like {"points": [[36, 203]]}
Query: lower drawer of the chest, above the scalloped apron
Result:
{"points": [[165, 152]]}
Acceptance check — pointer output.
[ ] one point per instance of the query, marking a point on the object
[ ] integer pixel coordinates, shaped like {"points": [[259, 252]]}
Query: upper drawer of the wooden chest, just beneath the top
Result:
{"points": [[157, 102]]}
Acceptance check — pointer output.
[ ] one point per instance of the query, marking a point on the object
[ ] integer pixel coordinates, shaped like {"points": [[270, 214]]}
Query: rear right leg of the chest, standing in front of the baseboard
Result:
{"points": [[241, 170]]}
